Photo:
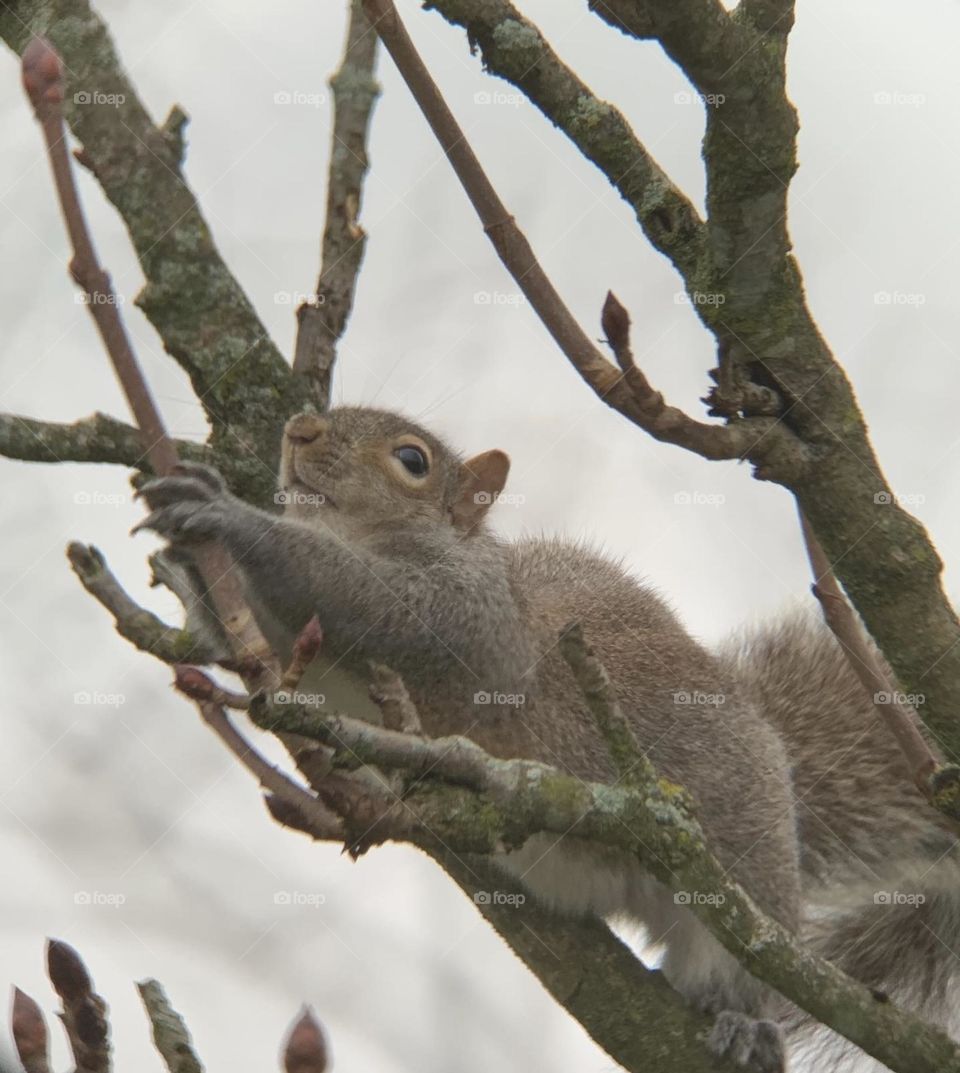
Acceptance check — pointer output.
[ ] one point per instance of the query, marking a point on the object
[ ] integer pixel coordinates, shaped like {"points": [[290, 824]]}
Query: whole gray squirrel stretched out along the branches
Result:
{"points": [[804, 796]]}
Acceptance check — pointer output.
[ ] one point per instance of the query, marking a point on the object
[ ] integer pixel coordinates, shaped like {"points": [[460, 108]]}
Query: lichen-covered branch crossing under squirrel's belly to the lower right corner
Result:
{"points": [[490, 805]]}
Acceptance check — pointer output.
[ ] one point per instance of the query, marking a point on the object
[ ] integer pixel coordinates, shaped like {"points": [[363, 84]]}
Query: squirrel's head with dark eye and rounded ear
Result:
{"points": [[359, 469]]}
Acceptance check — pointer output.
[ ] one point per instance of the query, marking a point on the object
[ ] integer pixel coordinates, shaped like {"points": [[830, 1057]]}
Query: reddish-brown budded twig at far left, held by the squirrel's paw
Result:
{"points": [[43, 80]]}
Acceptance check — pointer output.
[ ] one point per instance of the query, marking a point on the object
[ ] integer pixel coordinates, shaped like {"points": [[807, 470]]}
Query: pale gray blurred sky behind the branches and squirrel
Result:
{"points": [[137, 800]]}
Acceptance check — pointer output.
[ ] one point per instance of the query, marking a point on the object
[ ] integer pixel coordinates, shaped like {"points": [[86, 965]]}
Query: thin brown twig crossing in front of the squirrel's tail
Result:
{"points": [[899, 717]]}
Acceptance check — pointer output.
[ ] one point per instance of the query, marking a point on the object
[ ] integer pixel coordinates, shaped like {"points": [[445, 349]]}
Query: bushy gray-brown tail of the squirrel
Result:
{"points": [[881, 872]]}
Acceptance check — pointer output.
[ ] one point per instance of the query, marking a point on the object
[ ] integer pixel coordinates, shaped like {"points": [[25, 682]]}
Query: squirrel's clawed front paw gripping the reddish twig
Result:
{"points": [[190, 506]]}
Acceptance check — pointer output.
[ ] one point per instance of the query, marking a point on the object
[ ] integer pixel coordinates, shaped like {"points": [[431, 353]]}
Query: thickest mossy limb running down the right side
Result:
{"points": [[816, 444]]}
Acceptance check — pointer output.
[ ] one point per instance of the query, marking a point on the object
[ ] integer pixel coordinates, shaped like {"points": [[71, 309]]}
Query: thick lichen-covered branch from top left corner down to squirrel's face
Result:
{"points": [[196, 304]]}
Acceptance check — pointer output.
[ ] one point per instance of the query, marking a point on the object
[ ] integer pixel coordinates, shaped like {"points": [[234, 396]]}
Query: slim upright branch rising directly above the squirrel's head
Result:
{"points": [[322, 322]]}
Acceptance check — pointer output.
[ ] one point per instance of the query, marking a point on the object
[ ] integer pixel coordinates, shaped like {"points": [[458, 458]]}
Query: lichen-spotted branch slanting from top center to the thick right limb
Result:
{"points": [[515, 50]]}
